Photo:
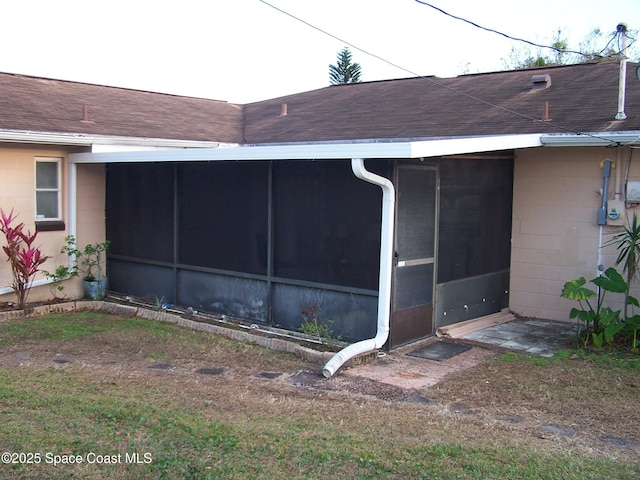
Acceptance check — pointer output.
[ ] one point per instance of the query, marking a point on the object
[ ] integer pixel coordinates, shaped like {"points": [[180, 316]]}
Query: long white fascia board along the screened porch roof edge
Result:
{"points": [[319, 151]]}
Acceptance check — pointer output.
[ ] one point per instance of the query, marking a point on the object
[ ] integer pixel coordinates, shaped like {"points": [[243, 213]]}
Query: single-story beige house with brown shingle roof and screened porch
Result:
{"points": [[392, 207]]}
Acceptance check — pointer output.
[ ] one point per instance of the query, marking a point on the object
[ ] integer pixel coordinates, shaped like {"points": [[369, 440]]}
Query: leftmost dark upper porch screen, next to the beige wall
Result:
{"points": [[140, 210]]}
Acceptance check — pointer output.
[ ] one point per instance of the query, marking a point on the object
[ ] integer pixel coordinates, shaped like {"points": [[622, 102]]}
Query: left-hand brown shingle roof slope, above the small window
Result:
{"points": [[45, 105]]}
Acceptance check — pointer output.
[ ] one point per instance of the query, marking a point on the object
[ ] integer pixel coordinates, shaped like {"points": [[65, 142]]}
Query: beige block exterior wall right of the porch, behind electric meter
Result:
{"points": [[555, 234]]}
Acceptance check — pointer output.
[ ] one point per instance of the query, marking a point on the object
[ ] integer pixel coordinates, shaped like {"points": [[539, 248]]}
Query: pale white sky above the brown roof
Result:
{"points": [[244, 51]]}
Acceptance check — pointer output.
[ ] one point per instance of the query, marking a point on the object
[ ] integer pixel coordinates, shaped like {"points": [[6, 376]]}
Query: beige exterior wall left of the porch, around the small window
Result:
{"points": [[17, 192]]}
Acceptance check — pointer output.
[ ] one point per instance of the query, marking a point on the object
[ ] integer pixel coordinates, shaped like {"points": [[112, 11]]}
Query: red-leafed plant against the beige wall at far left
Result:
{"points": [[23, 257]]}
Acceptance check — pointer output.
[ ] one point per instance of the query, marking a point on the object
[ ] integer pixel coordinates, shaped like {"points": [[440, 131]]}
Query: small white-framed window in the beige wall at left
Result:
{"points": [[48, 194]]}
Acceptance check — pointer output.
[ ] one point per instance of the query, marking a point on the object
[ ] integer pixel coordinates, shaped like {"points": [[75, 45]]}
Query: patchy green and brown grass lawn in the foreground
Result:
{"points": [[106, 404]]}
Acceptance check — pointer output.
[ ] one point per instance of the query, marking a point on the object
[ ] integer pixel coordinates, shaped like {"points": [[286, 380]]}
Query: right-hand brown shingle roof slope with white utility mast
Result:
{"points": [[581, 98]]}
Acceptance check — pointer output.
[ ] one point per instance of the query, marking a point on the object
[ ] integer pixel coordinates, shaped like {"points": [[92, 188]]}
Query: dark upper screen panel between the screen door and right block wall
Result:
{"points": [[475, 217]]}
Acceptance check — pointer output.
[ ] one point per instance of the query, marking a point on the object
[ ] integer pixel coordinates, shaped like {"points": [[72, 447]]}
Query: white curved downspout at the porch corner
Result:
{"points": [[386, 270]]}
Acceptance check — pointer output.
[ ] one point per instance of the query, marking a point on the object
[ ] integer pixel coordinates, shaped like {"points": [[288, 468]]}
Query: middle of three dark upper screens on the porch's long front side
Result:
{"points": [[223, 215]]}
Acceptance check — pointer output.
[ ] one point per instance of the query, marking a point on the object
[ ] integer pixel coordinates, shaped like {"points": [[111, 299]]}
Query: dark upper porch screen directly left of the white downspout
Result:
{"points": [[326, 224]]}
